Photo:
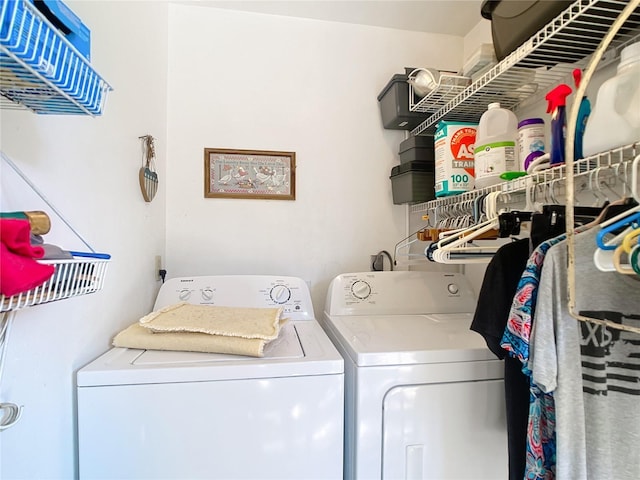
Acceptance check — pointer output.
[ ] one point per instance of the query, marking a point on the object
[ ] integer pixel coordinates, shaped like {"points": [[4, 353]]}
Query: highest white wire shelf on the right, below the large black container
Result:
{"points": [[543, 61]]}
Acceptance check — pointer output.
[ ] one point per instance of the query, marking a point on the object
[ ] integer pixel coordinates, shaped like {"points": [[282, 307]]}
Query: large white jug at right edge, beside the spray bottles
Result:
{"points": [[615, 118]]}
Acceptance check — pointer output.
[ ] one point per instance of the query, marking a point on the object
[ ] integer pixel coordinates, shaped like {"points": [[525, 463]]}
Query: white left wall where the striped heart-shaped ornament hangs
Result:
{"points": [[87, 168]]}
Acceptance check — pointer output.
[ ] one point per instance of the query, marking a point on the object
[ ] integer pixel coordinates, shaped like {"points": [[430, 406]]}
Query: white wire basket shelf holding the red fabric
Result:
{"points": [[71, 278]]}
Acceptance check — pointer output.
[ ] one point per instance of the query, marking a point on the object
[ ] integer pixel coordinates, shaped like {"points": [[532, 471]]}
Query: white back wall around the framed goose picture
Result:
{"points": [[250, 81]]}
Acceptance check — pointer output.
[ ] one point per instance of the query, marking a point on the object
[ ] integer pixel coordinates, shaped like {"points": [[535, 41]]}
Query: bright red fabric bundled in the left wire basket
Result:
{"points": [[19, 271]]}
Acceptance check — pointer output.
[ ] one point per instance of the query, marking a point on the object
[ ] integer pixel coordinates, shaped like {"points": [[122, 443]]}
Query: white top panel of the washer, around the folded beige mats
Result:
{"points": [[302, 348]]}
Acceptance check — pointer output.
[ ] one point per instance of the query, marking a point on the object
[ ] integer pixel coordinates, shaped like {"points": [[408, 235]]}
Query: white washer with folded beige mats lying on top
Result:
{"points": [[154, 414]]}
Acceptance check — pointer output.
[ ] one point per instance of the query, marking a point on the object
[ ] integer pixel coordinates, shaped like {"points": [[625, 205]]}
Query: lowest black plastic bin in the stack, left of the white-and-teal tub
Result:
{"points": [[413, 182]]}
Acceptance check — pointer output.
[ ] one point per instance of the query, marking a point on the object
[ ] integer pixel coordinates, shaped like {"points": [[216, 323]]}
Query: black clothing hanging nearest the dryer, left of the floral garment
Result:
{"points": [[490, 319]]}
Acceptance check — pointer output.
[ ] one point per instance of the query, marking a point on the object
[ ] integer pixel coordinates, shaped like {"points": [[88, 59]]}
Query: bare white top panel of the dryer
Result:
{"points": [[409, 339]]}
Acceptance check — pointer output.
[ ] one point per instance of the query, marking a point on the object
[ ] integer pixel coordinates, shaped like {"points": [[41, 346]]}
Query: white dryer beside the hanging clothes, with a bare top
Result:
{"points": [[424, 397]]}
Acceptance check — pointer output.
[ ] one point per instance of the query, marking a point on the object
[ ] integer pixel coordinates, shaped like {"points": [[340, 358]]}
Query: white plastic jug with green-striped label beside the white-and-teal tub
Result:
{"points": [[496, 149]]}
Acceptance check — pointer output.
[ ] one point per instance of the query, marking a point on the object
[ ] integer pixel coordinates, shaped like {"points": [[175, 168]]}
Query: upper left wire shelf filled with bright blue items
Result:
{"points": [[39, 68]]}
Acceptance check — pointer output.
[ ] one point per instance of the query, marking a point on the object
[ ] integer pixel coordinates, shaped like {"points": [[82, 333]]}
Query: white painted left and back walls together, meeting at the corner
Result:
{"points": [[235, 81]]}
